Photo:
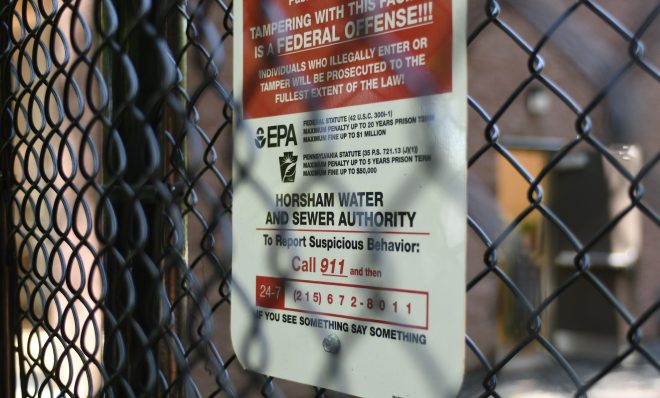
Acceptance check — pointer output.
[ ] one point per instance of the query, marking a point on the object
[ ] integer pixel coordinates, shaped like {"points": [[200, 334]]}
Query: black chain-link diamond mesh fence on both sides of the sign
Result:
{"points": [[116, 197]]}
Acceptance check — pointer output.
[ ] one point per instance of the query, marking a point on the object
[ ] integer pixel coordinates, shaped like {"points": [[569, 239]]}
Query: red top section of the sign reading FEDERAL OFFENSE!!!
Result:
{"points": [[302, 55]]}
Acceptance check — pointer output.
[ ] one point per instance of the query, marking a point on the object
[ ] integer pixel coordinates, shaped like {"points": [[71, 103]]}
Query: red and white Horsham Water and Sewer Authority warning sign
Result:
{"points": [[349, 212]]}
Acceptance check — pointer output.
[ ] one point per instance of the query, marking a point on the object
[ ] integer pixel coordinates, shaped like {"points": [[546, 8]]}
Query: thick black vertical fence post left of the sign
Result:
{"points": [[130, 190]]}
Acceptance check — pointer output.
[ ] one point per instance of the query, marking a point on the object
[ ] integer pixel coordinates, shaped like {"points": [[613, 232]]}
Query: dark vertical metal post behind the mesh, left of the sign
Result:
{"points": [[126, 273]]}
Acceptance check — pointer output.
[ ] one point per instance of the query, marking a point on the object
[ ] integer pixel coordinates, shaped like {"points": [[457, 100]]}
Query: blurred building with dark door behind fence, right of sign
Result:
{"points": [[584, 57]]}
